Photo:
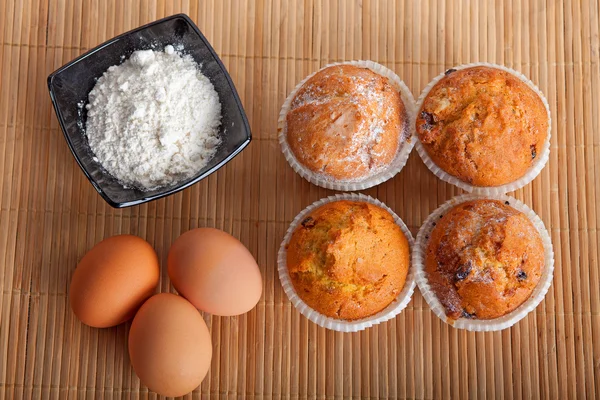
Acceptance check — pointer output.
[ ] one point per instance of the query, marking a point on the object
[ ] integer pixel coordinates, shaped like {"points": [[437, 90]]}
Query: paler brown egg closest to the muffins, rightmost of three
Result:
{"points": [[215, 272]]}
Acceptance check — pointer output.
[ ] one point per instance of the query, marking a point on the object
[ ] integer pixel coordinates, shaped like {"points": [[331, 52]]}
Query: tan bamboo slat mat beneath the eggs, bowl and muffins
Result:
{"points": [[50, 215]]}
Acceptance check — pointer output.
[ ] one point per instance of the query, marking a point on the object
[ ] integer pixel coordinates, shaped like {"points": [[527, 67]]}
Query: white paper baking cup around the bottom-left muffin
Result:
{"points": [[337, 324]]}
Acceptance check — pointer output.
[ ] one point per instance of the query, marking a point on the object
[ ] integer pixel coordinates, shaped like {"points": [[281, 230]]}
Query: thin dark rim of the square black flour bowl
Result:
{"points": [[175, 189]]}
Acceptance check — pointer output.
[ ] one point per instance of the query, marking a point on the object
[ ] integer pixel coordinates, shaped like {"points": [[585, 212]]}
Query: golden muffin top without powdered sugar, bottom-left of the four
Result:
{"points": [[348, 260]]}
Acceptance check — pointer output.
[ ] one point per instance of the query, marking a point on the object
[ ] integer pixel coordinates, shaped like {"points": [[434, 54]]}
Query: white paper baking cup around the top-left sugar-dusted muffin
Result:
{"points": [[406, 144]]}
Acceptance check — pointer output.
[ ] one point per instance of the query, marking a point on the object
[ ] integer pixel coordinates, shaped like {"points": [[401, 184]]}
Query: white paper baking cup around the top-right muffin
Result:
{"points": [[530, 174]]}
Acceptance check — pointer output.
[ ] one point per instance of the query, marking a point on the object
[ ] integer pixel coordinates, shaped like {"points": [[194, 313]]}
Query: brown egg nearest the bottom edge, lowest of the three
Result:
{"points": [[169, 345]]}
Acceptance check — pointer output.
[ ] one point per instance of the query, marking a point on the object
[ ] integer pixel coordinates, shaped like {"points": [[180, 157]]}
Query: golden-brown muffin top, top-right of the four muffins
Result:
{"points": [[482, 125]]}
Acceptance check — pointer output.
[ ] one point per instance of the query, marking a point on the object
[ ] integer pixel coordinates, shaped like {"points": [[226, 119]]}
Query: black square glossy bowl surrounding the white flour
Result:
{"points": [[70, 85]]}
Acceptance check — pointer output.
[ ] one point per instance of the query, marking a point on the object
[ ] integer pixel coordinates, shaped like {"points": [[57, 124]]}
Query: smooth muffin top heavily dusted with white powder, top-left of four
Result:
{"points": [[346, 123]]}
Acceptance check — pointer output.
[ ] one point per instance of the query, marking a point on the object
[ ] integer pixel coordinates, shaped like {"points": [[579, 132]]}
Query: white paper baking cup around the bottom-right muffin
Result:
{"points": [[508, 320]]}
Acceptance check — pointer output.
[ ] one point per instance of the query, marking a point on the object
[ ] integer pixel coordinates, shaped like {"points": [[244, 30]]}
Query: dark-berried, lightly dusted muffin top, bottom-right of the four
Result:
{"points": [[483, 259]]}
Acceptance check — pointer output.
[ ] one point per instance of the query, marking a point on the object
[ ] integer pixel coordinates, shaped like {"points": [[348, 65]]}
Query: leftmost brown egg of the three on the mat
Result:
{"points": [[112, 280]]}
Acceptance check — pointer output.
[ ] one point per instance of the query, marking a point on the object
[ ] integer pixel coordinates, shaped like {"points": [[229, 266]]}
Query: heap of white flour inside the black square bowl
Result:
{"points": [[153, 120]]}
